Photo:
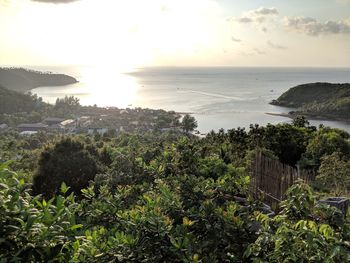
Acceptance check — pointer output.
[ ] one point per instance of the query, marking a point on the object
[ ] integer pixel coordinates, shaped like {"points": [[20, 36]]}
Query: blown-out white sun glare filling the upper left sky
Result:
{"points": [[124, 34]]}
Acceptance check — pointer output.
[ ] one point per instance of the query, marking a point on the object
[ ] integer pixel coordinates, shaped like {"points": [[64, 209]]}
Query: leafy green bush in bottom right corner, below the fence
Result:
{"points": [[302, 232]]}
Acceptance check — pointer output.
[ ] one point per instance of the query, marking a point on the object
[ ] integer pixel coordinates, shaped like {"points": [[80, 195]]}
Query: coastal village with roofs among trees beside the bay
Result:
{"points": [[112, 121]]}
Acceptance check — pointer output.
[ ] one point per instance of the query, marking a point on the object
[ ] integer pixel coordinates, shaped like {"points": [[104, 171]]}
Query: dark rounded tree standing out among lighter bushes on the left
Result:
{"points": [[67, 161]]}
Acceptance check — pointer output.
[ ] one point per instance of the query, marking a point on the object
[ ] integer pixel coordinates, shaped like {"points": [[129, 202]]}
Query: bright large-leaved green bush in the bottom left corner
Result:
{"points": [[32, 229]]}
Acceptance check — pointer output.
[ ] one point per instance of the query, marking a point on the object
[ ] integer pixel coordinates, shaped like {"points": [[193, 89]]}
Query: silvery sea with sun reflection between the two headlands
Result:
{"points": [[221, 97]]}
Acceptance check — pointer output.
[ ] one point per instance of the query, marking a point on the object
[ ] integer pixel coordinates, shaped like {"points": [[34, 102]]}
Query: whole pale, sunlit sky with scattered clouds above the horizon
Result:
{"points": [[136, 33]]}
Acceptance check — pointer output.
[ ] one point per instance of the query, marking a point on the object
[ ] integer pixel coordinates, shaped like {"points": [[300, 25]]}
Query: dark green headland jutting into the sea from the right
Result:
{"points": [[322, 100]]}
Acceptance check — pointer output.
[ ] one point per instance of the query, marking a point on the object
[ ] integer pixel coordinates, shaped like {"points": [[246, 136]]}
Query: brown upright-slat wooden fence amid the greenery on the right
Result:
{"points": [[270, 178]]}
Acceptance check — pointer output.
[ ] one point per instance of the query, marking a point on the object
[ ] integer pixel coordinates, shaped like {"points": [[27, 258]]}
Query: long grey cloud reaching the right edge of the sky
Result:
{"points": [[311, 26]]}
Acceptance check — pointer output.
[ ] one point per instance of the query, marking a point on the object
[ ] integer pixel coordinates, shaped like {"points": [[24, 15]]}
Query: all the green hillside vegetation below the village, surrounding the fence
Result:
{"points": [[168, 197]]}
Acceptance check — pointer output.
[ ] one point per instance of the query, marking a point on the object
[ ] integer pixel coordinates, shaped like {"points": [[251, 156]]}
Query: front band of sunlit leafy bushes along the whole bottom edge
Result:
{"points": [[165, 222]]}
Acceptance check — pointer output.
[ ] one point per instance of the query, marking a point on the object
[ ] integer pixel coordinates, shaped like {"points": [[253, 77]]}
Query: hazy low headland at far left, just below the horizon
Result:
{"points": [[22, 80]]}
